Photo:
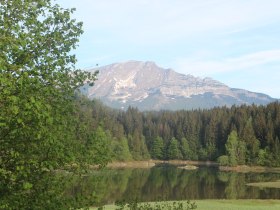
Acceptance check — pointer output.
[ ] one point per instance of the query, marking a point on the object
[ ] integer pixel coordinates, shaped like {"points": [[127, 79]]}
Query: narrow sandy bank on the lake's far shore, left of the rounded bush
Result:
{"points": [[151, 163]]}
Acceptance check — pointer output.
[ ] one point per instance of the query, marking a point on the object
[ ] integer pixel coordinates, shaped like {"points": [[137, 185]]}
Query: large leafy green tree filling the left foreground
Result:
{"points": [[40, 121]]}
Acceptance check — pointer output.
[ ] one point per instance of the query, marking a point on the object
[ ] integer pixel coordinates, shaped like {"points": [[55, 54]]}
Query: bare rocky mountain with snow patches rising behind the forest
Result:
{"points": [[149, 87]]}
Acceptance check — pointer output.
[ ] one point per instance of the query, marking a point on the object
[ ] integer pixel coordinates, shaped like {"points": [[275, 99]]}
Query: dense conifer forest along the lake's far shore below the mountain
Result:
{"points": [[238, 135]]}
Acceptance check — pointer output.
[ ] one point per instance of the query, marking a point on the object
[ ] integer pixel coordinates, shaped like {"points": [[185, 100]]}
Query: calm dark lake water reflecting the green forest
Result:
{"points": [[165, 182]]}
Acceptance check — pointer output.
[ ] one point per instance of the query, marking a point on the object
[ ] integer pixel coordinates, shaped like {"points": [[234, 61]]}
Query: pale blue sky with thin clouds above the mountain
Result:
{"points": [[236, 42]]}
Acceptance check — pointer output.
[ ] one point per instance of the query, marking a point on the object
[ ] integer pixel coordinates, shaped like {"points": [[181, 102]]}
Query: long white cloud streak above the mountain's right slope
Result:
{"points": [[202, 67]]}
